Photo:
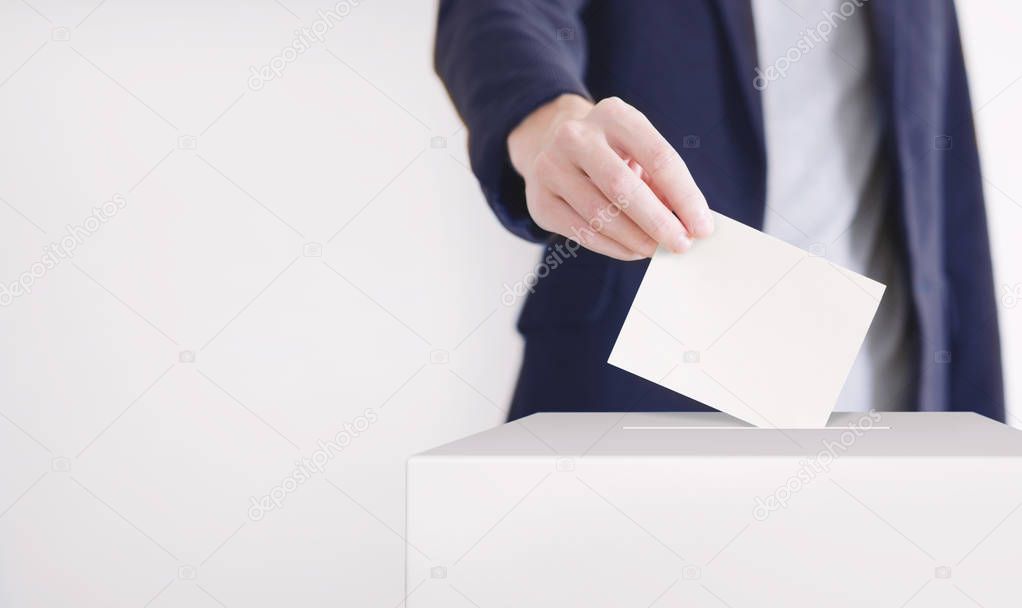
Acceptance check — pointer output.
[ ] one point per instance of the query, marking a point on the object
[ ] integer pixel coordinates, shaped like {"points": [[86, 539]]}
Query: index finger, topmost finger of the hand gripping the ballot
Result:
{"points": [[631, 133]]}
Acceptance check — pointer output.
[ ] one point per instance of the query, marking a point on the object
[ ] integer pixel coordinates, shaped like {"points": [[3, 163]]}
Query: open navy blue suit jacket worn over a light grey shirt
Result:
{"points": [[689, 66]]}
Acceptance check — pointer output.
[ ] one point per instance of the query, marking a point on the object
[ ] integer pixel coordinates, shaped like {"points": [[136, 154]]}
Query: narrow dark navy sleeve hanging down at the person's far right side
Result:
{"points": [[977, 382]]}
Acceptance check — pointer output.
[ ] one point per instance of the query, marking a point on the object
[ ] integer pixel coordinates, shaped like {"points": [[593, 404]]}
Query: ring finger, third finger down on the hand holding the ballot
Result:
{"points": [[602, 216]]}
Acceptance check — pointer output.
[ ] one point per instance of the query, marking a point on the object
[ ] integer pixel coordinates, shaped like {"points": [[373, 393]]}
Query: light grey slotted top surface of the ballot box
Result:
{"points": [[889, 435]]}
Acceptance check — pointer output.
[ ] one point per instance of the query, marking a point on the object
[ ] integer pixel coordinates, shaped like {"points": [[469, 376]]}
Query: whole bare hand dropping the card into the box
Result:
{"points": [[603, 176]]}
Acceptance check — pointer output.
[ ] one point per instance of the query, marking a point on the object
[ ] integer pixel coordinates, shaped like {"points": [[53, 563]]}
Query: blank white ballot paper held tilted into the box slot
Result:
{"points": [[750, 325]]}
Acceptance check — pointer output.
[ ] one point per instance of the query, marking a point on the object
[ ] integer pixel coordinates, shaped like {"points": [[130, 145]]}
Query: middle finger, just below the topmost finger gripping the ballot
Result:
{"points": [[622, 186]]}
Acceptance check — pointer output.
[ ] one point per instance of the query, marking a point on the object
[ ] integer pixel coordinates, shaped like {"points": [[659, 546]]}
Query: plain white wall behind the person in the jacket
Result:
{"points": [[128, 469]]}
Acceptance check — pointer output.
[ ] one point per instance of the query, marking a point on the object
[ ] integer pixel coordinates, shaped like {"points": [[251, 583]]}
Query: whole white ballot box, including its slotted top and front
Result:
{"points": [[672, 510]]}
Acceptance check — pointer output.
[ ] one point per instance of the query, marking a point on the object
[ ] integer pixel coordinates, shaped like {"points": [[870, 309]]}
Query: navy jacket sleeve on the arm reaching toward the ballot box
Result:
{"points": [[501, 60]]}
